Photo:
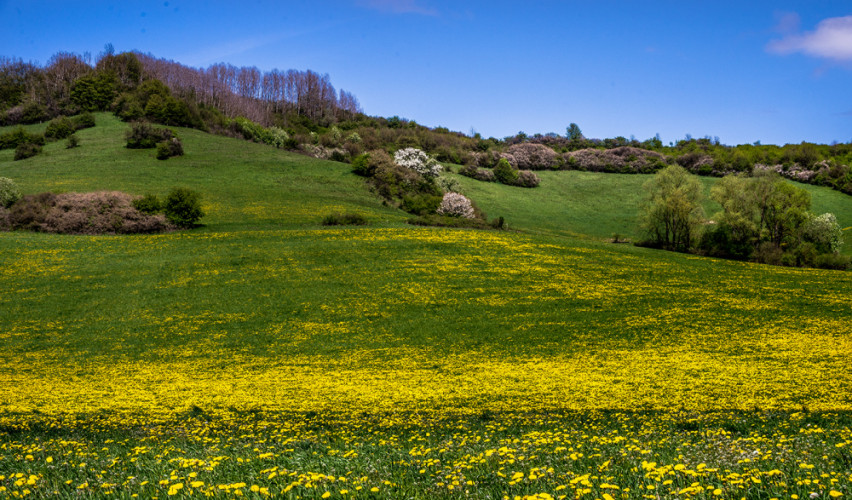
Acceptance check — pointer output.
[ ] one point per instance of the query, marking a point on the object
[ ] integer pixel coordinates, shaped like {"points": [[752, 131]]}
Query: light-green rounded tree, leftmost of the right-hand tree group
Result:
{"points": [[671, 214]]}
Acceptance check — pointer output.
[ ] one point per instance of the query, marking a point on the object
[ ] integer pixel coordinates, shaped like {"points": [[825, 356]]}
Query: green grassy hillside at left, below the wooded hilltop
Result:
{"points": [[243, 184]]}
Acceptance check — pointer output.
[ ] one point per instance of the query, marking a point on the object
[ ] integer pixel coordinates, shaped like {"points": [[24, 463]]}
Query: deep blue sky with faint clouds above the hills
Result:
{"points": [[751, 70]]}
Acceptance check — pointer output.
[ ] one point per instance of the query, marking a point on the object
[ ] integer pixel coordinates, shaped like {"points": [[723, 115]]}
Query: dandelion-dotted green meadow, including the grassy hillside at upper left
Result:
{"points": [[266, 356]]}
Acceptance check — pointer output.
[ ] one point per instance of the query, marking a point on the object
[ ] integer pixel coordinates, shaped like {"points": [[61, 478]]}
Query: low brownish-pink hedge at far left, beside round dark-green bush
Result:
{"points": [[103, 212]]}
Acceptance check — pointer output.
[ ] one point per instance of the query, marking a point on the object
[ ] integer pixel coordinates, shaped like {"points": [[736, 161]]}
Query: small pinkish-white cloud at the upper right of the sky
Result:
{"points": [[832, 39]]}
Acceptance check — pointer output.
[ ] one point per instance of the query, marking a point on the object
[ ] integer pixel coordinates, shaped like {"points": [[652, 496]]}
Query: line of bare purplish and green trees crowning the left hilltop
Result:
{"points": [[70, 83]]}
